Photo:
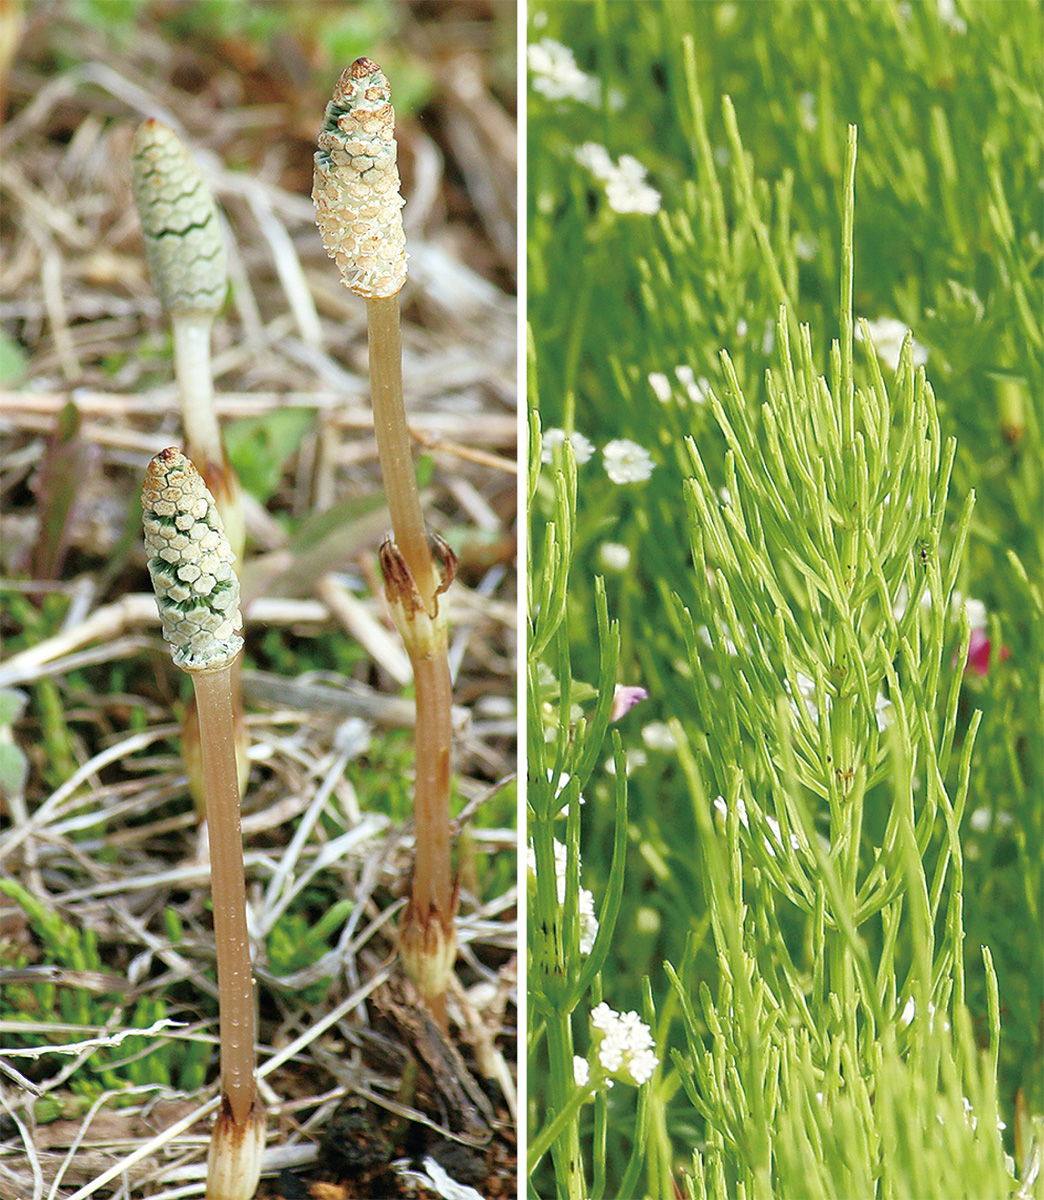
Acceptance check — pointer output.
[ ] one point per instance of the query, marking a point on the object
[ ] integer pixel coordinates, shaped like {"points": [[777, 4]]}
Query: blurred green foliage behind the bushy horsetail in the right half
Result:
{"points": [[949, 239]]}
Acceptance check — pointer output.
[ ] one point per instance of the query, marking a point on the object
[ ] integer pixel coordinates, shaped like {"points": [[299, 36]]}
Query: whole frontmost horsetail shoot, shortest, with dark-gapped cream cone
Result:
{"points": [[197, 592]]}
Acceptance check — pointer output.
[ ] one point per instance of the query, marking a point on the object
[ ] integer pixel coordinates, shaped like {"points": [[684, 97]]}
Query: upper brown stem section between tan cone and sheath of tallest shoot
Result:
{"points": [[393, 445]]}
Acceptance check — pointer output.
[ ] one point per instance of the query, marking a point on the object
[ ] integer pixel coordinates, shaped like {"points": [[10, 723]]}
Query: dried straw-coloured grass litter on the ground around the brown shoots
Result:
{"points": [[111, 842]]}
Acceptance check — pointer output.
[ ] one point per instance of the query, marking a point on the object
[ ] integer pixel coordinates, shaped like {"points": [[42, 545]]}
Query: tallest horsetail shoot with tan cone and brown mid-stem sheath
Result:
{"points": [[358, 208]]}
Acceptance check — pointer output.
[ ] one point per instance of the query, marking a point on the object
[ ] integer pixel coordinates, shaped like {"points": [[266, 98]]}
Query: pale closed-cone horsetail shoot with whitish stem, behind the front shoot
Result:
{"points": [[185, 250]]}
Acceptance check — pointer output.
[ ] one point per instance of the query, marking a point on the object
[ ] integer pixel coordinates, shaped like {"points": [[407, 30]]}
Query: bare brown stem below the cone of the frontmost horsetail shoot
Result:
{"points": [[229, 889]]}
